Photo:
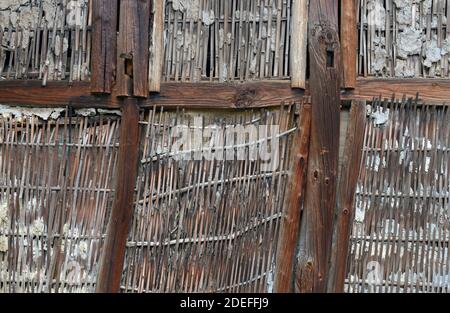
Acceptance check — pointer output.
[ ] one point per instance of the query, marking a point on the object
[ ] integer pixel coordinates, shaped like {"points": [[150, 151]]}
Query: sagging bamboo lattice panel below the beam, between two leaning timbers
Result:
{"points": [[207, 225]]}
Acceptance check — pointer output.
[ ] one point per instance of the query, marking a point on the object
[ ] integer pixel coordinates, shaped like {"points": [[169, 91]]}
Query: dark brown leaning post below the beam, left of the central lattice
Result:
{"points": [[111, 263]]}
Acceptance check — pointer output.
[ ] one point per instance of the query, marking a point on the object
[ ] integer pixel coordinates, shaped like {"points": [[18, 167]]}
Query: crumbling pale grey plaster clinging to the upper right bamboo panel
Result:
{"points": [[415, 52]]}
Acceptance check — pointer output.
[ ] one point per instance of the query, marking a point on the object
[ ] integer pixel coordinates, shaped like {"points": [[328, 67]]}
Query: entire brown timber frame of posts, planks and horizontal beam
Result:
{"points": [[122, 73]]}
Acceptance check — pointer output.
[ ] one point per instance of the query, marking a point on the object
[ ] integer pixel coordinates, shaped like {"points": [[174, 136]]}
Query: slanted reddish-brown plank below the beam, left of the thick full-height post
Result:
{"points": [[289, 232]]}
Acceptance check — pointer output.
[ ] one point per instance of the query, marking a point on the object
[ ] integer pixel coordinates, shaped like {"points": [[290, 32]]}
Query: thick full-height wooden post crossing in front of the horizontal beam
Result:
{"points": [[325, 82]]}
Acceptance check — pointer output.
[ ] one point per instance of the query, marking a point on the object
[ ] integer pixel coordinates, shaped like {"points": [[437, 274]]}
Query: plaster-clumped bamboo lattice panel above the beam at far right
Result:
{"points": [[404, 38]]}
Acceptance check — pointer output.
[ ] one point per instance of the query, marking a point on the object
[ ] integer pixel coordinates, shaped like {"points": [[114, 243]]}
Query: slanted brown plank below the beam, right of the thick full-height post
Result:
{"points": [[346, 196]]}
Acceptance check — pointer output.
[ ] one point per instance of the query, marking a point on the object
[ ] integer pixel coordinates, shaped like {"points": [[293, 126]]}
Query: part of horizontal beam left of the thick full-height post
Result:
{"points": [[195, 95]]}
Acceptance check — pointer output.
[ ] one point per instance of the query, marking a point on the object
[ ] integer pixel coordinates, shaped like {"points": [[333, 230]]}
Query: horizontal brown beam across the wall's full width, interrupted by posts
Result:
{"points": [[214, 95]]}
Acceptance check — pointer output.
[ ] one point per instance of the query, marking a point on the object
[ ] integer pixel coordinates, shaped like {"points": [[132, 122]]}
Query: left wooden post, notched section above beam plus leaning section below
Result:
{"points": [[132, 81]]}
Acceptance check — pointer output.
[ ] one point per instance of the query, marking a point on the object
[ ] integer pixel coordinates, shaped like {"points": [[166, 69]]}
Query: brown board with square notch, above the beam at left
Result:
{"points": [[133, 48]]}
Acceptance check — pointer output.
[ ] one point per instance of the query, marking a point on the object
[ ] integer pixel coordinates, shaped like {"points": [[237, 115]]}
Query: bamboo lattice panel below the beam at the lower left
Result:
{"points": [[56, 178]]}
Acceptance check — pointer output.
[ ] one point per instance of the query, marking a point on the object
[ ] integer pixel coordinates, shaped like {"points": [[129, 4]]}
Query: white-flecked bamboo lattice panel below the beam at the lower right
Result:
{"points": [[401, 233]]}
